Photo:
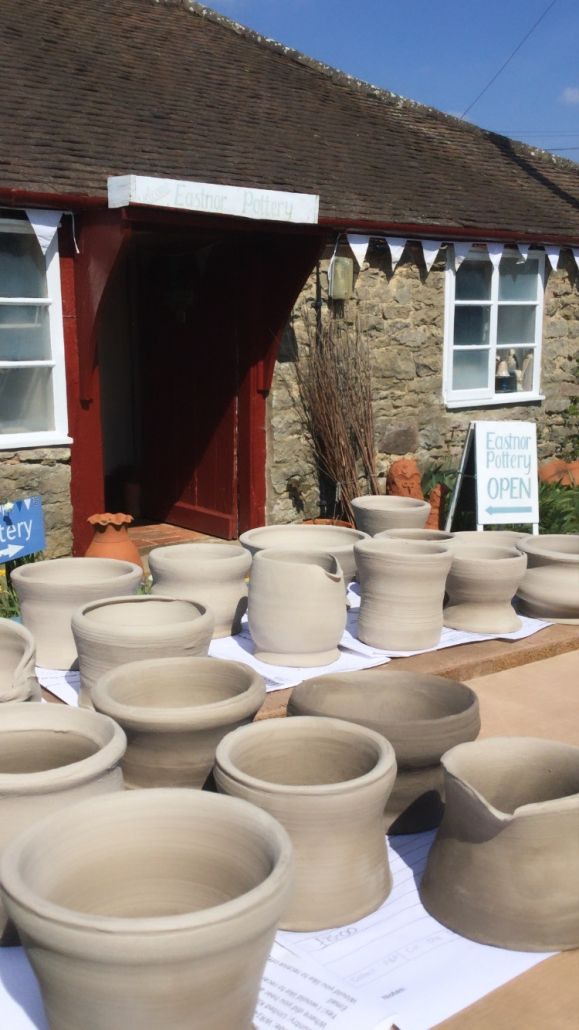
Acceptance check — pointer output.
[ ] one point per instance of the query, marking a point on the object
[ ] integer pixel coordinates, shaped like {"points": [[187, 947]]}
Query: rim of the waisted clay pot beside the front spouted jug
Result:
{"points": [[385, 763]]}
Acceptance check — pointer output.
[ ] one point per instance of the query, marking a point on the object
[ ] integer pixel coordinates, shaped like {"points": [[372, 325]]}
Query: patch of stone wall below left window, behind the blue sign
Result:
{"points": [[44, 472]]}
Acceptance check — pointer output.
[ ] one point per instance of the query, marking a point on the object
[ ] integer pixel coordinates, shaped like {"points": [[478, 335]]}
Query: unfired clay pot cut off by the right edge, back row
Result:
{"points": [[551, 586]]}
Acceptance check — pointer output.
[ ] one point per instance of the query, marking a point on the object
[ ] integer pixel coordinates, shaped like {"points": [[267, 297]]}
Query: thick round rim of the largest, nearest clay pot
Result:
{"points": [[189, 802]]}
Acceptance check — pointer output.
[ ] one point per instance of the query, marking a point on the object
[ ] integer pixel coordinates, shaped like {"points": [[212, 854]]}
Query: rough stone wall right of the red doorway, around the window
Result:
{"points": [[402, 319]]}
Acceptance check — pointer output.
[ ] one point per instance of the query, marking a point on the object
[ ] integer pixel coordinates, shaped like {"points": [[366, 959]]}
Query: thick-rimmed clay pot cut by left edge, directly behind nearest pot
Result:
{"points": [[52, 756]]}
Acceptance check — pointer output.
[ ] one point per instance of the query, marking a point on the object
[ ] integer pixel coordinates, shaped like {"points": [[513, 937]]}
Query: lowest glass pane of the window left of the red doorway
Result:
{"points": [[26, 400]]}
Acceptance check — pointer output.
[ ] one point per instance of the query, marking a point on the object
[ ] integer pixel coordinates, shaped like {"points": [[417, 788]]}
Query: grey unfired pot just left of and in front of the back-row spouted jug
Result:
{"points": [[117, 631]]}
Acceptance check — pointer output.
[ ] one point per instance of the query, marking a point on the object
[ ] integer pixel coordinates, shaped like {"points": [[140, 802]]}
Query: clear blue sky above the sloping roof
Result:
{"points": [[445, 53]]}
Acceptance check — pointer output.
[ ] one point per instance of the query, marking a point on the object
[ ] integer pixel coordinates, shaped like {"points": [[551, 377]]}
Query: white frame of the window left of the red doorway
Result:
{"points": [[59, 435]]}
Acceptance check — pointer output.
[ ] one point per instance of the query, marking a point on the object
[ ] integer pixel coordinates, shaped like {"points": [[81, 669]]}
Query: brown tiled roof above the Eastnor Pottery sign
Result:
{"points": [[97, 88]]}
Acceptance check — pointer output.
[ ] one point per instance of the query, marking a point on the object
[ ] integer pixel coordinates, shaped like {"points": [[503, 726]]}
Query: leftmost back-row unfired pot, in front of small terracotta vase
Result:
{"points": [[50, 592]]}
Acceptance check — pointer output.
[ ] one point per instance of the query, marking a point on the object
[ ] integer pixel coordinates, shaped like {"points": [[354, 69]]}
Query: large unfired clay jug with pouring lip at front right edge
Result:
{"points": [[504, 868]]}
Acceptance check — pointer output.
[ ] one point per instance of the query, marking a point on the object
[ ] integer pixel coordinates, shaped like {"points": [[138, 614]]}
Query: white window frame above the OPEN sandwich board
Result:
{"points": [[487, 397]]}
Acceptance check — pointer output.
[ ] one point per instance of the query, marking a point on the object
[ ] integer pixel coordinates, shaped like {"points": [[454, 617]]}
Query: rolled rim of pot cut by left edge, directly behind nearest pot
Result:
{"points": [[62, 719]]}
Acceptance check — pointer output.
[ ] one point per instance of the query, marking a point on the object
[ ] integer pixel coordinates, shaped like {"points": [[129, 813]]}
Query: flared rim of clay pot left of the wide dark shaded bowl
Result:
{"points": [[186, 717]]}
